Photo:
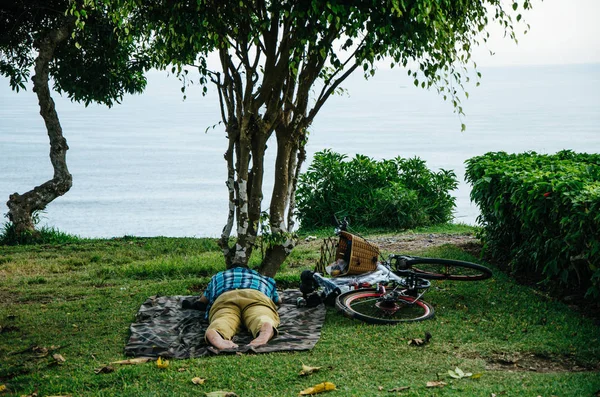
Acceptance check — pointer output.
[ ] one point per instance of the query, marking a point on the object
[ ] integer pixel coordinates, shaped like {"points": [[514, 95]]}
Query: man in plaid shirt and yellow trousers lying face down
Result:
{"points": [[240, 296]]}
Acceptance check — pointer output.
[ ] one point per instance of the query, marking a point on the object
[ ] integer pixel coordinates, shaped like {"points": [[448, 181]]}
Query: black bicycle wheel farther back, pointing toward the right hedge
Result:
{"points": [[447, 269]]}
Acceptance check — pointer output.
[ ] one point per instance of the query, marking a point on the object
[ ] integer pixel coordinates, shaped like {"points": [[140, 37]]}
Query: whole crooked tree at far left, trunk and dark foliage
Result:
{"points": [[87, 65]]}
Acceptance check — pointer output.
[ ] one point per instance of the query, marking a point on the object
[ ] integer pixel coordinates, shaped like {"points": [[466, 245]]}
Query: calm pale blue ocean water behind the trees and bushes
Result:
{"points": [[148, 168]]}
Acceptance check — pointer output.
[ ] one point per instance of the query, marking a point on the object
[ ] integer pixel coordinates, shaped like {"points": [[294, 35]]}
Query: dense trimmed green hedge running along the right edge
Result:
{"points": [[541, 213]]}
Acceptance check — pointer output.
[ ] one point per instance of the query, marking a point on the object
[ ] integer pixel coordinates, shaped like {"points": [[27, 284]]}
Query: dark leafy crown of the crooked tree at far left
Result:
{"points": [[88, 65]]}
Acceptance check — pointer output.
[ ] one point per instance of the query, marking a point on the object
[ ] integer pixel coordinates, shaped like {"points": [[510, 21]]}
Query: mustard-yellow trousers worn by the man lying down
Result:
{"points": [[247, 307]]}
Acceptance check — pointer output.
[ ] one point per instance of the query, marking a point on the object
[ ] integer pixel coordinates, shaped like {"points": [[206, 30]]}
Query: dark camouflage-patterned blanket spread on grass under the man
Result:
{"points": [[164, 329]]}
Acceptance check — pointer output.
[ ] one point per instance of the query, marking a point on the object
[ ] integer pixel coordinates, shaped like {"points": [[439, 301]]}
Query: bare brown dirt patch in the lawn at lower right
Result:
{"points": [[531, 362]]}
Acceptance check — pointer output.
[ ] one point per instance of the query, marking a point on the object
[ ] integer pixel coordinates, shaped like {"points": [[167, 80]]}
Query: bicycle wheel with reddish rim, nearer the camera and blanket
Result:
{"points": [[372, 307]]}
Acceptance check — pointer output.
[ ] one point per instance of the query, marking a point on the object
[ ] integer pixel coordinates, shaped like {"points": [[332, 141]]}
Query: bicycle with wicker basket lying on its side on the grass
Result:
{"points": [[387, 291]]}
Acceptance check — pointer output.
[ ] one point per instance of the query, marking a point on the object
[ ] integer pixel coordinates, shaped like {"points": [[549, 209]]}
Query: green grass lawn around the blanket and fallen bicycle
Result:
{"points": [[78, 298]]}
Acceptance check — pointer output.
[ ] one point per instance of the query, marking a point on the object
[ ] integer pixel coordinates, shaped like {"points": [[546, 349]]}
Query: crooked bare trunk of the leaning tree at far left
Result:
{"points": [[22, 206]]}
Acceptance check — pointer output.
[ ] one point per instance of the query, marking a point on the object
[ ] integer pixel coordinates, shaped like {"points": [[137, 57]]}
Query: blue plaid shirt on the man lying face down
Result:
{"points": [[239, 278]]}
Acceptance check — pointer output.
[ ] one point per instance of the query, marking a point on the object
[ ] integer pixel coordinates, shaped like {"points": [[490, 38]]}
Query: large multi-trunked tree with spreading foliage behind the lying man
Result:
{"points": [[279, 62]]}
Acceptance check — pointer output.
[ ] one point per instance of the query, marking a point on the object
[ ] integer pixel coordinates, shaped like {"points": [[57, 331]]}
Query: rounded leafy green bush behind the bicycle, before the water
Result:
{"points": [[397, 194]]}
